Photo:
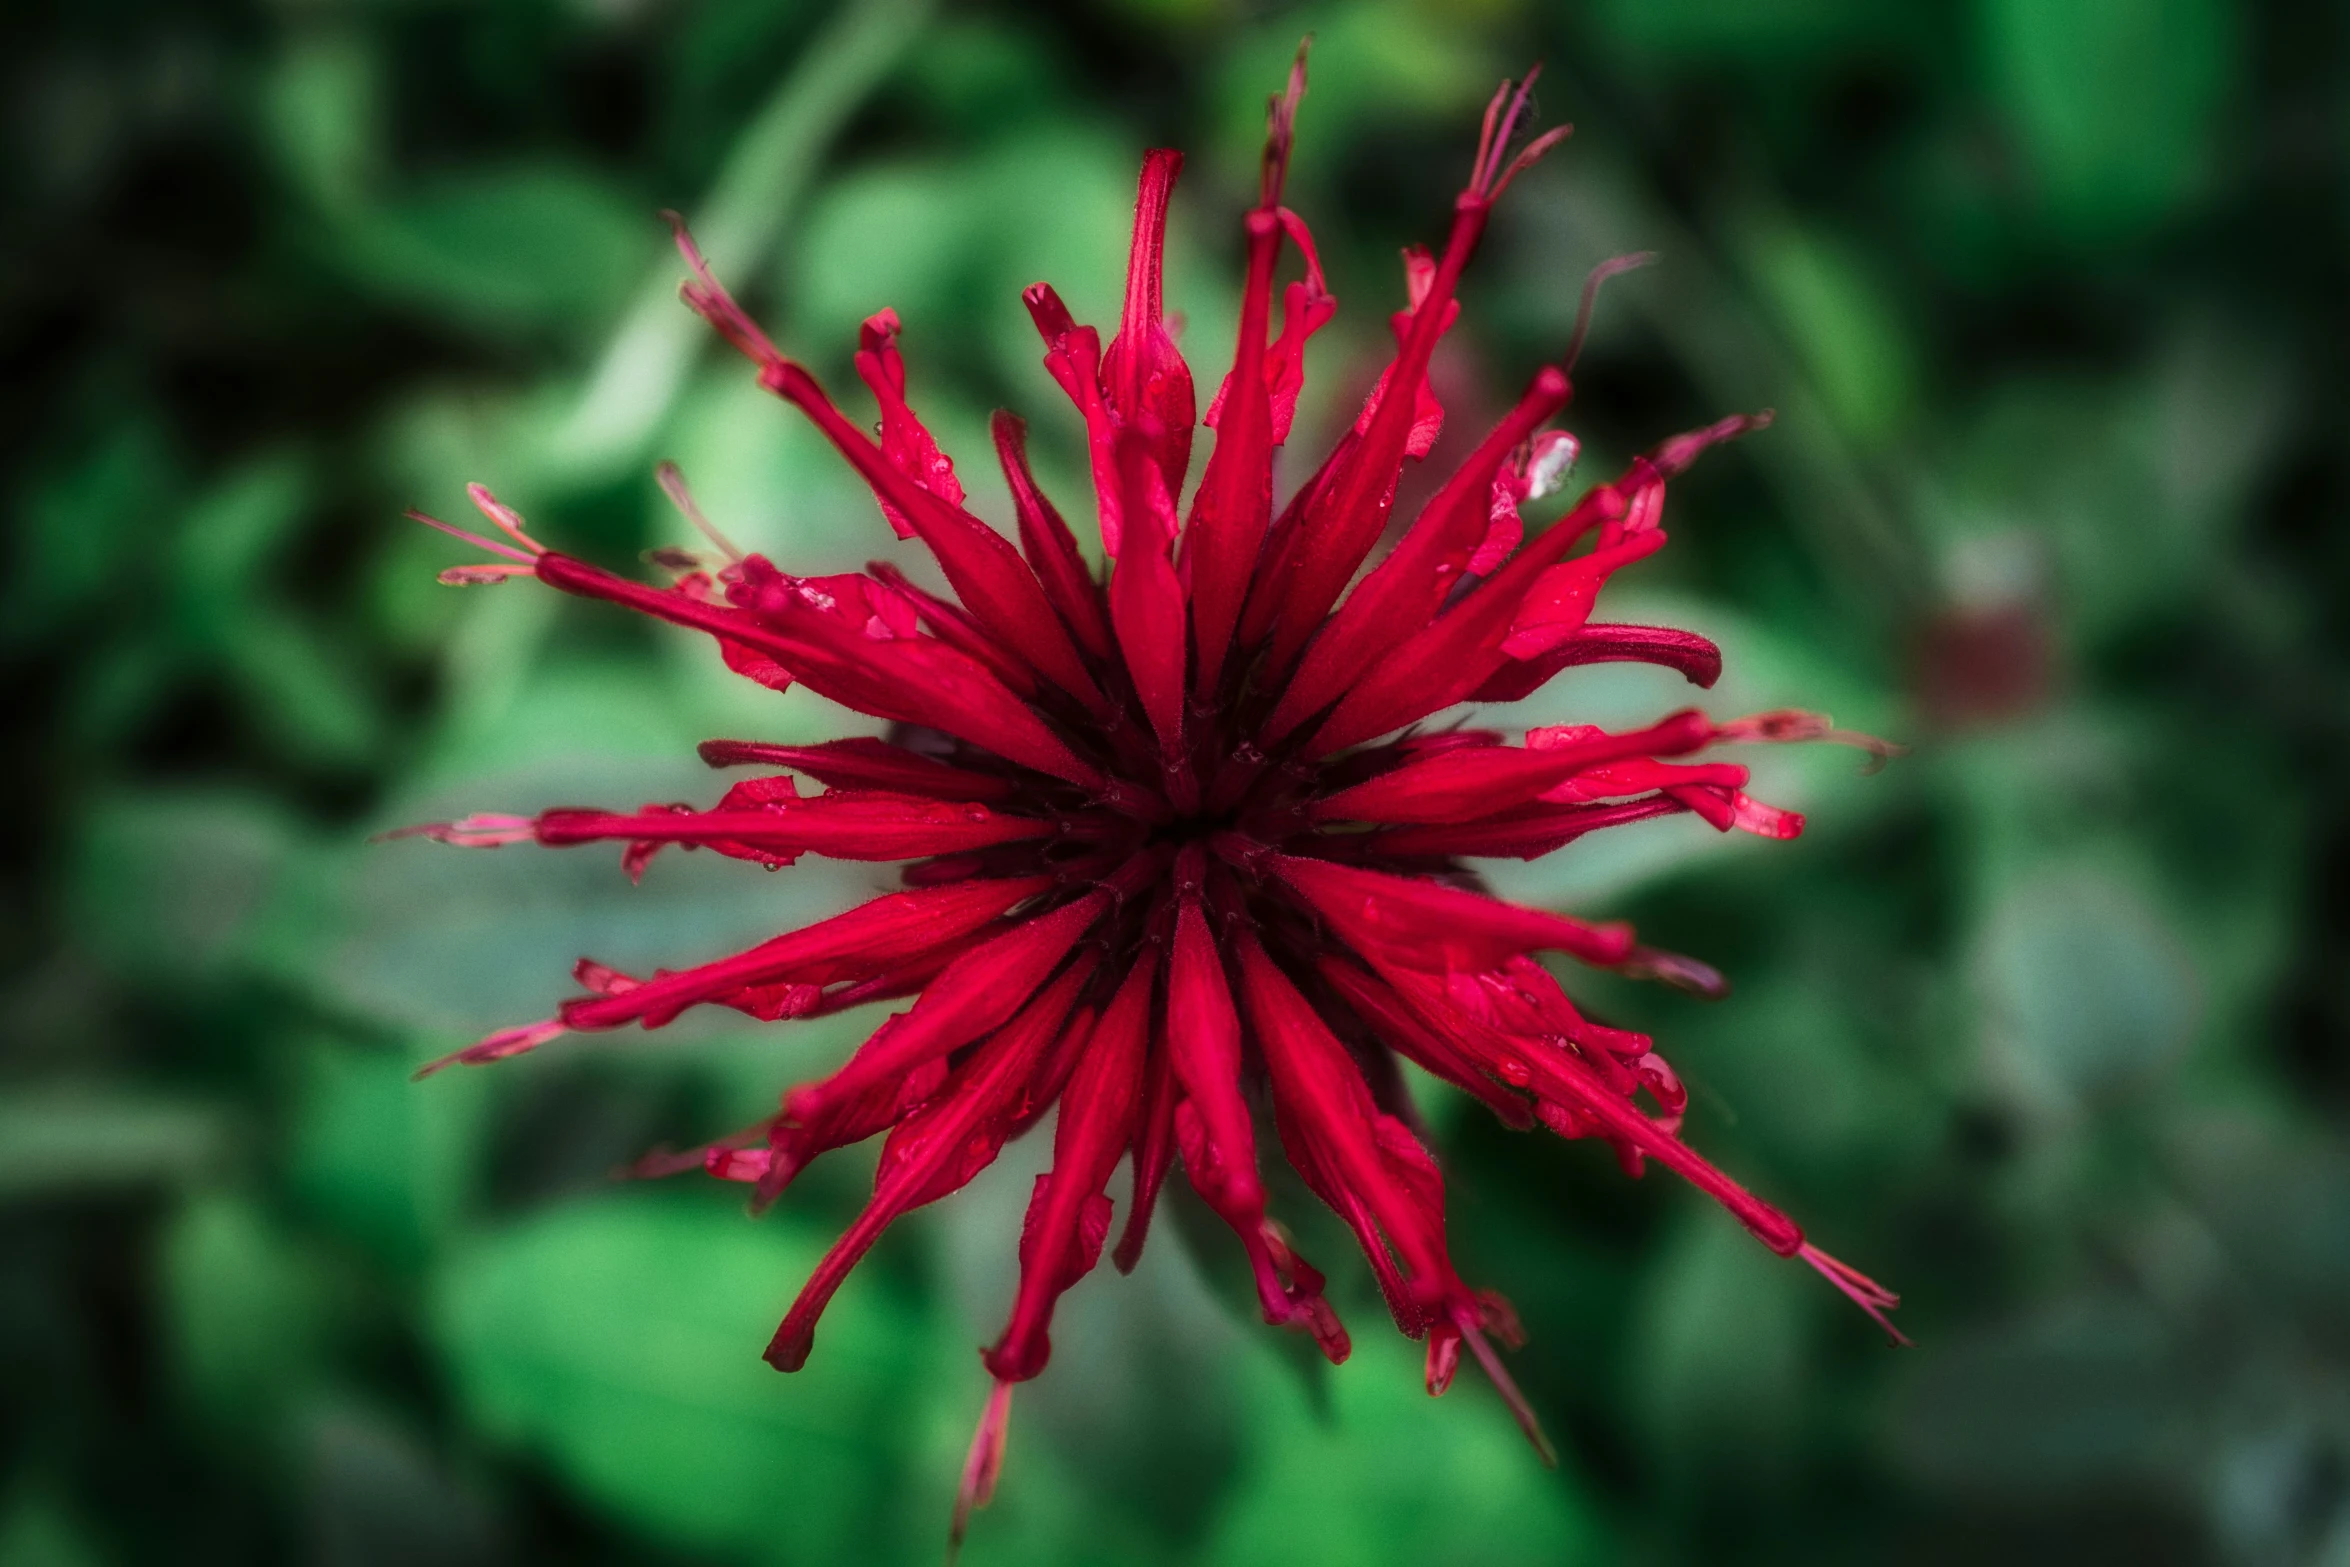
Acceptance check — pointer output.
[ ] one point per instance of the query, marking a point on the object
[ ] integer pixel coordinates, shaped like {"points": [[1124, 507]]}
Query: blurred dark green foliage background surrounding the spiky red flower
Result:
{"points": [[2043, 1025]]}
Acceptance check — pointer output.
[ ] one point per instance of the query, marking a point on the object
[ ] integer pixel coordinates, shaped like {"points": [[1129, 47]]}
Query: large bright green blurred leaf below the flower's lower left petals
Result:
{"points": [[622, 1340]]}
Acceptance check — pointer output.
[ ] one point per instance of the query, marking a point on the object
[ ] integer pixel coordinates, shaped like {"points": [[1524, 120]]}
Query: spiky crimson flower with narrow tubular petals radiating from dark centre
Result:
{"points": [[1171, 861]]}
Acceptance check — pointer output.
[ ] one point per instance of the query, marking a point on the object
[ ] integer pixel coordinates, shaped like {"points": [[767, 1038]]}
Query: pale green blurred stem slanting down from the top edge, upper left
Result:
{"points": [[739, 222]]}
